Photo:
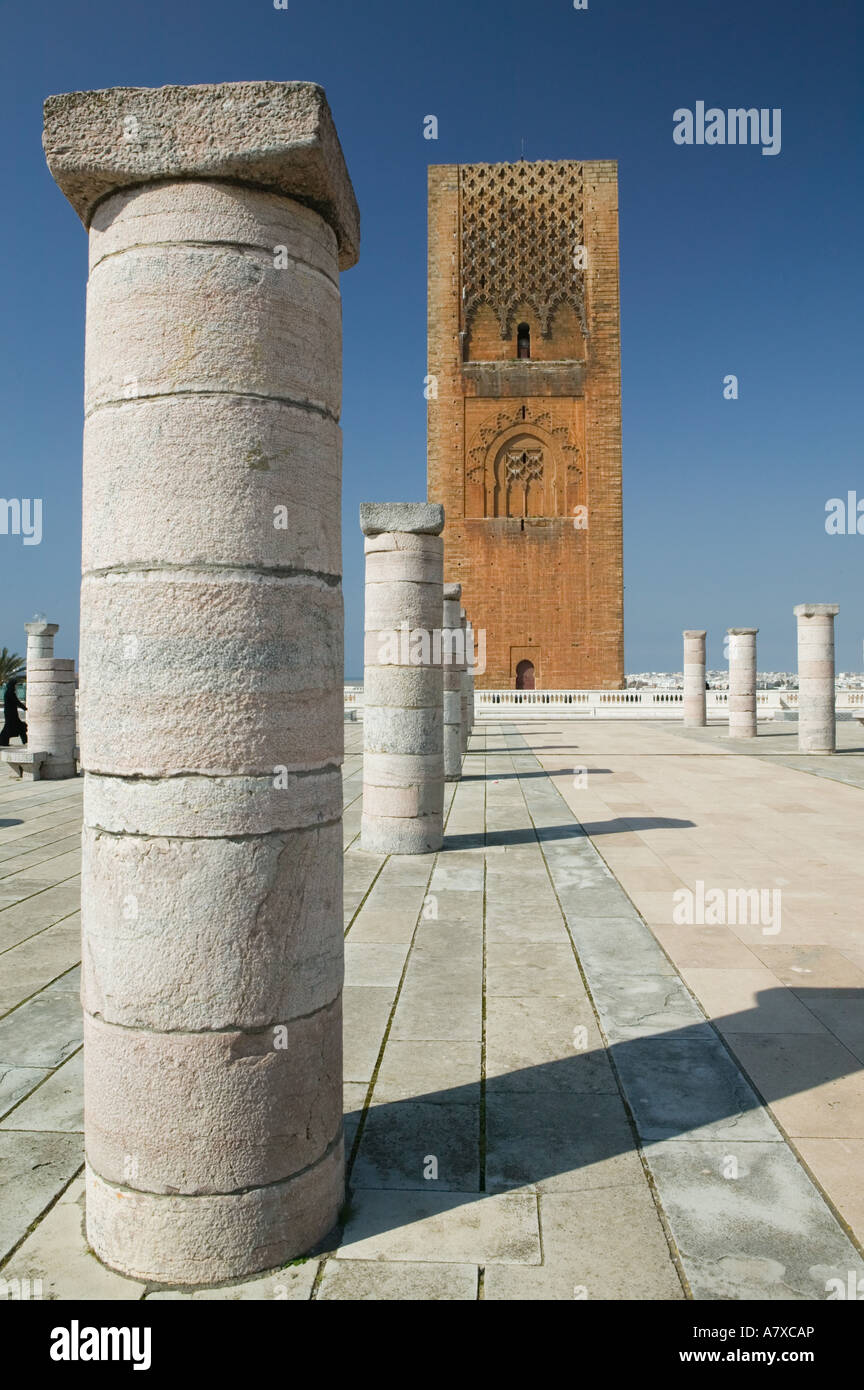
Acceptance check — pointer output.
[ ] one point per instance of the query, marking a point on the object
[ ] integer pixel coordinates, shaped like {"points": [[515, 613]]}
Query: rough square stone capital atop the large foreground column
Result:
{"points": [[279, 137]]}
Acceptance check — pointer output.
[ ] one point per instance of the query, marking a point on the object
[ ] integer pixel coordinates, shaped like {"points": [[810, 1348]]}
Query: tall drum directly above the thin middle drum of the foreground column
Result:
{"points": [[255, 686]]}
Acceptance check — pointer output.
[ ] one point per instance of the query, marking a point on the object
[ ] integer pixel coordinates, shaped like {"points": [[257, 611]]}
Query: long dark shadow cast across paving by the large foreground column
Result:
{"points": [[559, 1117]]}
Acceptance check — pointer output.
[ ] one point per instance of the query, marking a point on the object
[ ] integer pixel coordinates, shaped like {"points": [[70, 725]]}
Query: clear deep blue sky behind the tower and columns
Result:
{"points": [[731, 263]]}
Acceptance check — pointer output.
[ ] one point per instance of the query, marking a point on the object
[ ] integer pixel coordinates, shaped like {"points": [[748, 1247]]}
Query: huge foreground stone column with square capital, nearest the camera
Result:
{"points": [[210, 671]]}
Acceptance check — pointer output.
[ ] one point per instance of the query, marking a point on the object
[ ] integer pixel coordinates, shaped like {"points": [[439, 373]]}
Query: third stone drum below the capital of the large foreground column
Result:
{"points": [[224, 480]]}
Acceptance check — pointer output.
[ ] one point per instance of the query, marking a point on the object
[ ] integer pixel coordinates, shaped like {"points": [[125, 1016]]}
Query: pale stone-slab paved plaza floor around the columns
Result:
{"points": [[537, 1104]]}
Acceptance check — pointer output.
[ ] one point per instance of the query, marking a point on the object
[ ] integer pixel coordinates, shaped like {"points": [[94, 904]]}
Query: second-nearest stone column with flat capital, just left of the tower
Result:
{"points": [[404, 742]]}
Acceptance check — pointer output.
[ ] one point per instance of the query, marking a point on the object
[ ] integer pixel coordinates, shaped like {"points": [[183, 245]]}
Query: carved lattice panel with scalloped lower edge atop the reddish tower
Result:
{"points": [[522, 229]]}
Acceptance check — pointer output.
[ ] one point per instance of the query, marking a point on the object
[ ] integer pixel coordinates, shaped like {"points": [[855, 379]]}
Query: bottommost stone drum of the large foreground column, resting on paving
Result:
{"points": [[205, 1241]]}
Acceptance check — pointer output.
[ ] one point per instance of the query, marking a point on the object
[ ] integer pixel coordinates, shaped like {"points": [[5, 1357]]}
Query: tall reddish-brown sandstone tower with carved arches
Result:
{"points": [[526, 414]]}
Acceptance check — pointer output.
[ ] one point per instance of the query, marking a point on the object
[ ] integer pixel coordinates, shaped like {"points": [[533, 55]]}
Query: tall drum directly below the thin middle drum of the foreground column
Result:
{"points": [[212, 933]]}
